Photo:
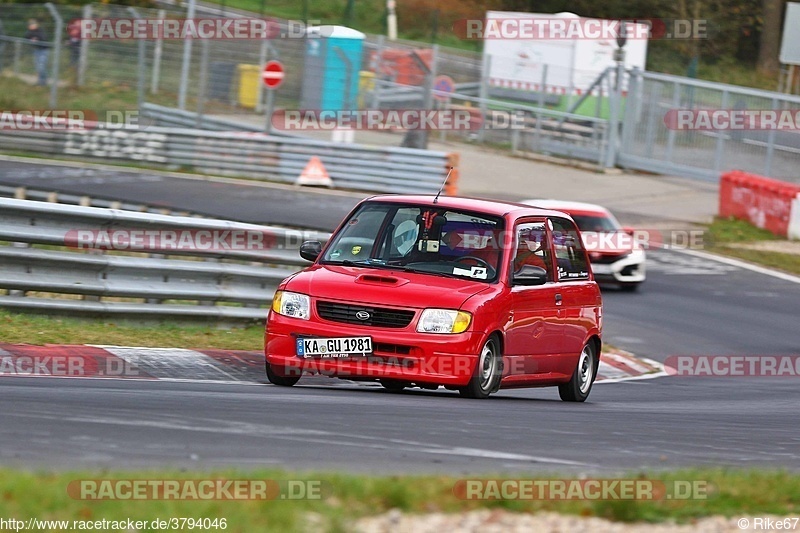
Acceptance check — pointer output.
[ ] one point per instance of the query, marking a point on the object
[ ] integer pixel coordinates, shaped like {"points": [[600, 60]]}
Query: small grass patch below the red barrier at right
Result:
{"points": [[725, 232]]}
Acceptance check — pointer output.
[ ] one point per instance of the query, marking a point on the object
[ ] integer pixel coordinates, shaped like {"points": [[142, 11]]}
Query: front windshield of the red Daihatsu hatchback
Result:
{"points": [[419, 238]]}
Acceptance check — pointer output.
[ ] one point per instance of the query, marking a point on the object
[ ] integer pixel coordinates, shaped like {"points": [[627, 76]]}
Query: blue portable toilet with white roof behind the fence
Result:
{"points": [[333, 62]]}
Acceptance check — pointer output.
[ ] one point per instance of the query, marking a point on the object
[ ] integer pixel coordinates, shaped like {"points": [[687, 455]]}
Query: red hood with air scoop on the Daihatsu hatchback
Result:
{"points": [[392, 288]]}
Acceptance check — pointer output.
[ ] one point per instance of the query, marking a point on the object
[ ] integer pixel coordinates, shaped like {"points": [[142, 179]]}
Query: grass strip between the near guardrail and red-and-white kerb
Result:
{"points": [[36, 329]]}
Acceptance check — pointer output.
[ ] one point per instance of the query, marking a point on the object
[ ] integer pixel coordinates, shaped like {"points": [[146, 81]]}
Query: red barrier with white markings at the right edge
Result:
{"points": [[766, 203]]}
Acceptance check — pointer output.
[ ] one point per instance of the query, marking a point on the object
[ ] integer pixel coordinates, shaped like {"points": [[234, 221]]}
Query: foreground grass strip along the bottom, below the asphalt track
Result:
{"points": [[345, 498]]}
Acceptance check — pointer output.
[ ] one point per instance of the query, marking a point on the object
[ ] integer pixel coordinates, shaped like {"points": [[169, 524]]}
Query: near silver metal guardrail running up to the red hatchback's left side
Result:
{"points": [[188, 267]]}
